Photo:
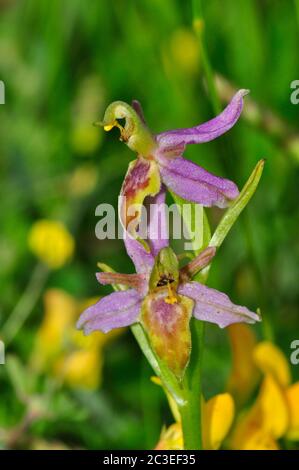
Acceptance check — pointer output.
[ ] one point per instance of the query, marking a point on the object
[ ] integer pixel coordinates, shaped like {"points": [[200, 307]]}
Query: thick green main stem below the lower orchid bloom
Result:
{"points": [[191, 409]]}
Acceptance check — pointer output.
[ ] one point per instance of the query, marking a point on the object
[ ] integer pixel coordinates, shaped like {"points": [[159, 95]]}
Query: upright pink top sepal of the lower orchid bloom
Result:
{"points": [[157, 224]]}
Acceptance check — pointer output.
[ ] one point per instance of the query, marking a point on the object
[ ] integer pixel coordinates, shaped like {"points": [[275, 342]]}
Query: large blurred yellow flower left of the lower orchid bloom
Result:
{"points": [[60, 350]]}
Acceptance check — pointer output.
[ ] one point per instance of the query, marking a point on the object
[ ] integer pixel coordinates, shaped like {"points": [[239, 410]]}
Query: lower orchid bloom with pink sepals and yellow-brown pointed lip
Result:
{"points": [[162, 298]]}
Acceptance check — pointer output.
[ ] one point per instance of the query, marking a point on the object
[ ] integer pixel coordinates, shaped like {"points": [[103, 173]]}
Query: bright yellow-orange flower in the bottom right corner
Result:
{"points": [[275, 412]]}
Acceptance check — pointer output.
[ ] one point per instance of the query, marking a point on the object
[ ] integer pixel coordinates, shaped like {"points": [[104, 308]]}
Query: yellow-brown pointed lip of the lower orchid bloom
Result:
{"points": [[167, 326]]}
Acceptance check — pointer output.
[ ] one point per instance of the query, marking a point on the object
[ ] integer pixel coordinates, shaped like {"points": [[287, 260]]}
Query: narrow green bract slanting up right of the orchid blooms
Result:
{"points": [[237, 206]]}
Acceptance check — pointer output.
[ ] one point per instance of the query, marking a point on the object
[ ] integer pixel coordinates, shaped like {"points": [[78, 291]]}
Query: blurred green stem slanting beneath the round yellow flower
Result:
{"points": [[25, 304]]}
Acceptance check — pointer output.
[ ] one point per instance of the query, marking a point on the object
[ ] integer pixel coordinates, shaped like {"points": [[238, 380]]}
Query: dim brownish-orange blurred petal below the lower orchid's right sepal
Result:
{"points": [[244, 375]]}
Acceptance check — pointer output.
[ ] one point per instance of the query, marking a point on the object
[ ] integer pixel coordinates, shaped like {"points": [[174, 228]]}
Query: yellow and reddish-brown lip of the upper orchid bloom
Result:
{"points": [[142, 179]]}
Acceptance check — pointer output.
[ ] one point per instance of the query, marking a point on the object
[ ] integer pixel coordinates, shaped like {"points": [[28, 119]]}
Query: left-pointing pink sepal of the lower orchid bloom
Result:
{"points": [[113, 311]]}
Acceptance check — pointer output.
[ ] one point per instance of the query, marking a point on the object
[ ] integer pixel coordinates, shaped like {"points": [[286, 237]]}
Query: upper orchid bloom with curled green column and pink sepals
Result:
{"points": [[160, 160]]}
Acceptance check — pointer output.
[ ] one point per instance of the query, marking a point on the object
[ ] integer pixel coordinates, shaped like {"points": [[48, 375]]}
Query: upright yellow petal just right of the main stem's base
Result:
{"points": [[218, 415]]}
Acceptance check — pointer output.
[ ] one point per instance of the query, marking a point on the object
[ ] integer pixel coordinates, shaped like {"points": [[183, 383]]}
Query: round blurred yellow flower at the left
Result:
{"points": [[51, 242]]}
